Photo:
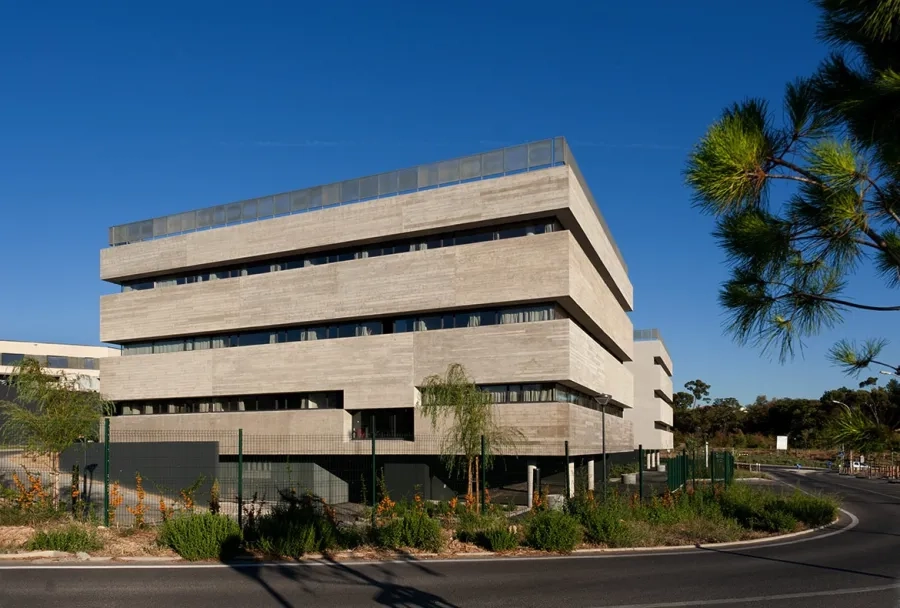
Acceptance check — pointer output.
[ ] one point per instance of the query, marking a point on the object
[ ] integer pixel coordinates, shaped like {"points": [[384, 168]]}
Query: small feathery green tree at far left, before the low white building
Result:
{"points": [[52, 414]]}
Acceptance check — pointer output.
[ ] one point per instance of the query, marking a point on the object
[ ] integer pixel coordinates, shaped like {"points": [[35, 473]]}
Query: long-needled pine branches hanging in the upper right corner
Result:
{"points": [[838, 152]]}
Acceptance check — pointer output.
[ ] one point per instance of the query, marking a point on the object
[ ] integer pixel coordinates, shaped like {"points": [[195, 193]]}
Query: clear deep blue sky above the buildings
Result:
{"points": [[116, 112]]}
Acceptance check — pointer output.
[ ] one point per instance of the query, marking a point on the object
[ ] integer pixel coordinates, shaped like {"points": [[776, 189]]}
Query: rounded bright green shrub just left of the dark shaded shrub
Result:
{"points": [[196, 536]]}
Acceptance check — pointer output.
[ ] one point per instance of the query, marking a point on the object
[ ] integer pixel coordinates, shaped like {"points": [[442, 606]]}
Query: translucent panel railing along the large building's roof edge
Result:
{"points": [[532, 156]]}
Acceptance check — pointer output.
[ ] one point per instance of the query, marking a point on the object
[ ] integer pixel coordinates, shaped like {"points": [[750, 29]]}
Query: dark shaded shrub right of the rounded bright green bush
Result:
{"points": [[296, 526]]}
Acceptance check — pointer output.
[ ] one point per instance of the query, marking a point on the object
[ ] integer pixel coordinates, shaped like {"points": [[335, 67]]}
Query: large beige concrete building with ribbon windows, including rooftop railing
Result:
{"points": [[311, 311]]}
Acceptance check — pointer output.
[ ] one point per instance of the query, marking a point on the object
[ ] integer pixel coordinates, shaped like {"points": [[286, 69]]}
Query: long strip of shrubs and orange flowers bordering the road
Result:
{"points": [[299, 525]]}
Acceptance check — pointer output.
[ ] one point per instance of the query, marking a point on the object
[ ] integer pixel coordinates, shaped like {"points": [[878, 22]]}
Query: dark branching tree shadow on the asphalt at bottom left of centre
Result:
{"points": [[330, 572]]}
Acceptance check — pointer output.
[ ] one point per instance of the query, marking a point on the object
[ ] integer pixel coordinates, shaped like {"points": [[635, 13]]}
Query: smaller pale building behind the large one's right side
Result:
{"points": [[651, 415]]}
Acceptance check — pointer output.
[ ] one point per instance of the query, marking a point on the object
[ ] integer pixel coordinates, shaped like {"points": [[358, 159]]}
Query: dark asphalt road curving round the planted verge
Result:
{"points": [[857, 567]]}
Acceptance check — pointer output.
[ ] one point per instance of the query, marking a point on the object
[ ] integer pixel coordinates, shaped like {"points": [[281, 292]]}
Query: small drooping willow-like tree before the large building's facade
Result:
{"points": [[469, 413]]}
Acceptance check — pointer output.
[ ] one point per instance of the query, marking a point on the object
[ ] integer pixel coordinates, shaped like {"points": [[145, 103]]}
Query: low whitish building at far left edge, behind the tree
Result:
{"points": [[70, 360]]}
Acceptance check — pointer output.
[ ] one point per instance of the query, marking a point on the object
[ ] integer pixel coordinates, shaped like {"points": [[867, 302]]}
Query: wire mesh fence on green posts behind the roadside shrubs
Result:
{"points": [[141, 477]]}
